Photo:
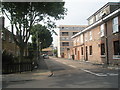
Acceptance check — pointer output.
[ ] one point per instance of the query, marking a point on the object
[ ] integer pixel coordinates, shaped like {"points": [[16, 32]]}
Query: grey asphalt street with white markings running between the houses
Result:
{"points": [[71, 74]]}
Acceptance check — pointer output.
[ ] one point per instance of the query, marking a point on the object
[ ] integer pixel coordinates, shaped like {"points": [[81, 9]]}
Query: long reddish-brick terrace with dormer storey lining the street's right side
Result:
{"points": [[100, 41]]}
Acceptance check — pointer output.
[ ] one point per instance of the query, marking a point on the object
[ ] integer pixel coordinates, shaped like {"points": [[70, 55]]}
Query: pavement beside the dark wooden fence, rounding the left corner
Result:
{"points": [[41, 72]]}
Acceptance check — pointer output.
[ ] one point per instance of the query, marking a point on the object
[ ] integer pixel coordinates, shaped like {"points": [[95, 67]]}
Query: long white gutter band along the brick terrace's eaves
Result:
{"points": [[96, 23]]}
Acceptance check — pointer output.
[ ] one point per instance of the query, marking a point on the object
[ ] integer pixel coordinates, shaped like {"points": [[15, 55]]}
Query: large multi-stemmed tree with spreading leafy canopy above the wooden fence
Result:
{"points": [[23, 15]]}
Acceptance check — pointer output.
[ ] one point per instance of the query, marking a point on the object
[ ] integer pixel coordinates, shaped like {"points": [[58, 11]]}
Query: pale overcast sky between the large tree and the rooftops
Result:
{"points": [[78, 12]]}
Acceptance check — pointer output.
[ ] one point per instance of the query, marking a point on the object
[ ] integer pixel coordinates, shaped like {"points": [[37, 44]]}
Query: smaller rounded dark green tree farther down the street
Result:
{"points": [[41, 35]]}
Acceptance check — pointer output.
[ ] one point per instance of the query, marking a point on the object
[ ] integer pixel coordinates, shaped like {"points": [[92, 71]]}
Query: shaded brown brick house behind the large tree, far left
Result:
{"points": [[7, 42]]}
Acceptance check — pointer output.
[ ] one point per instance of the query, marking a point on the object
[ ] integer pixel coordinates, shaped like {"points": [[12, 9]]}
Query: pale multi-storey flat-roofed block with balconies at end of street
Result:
{"points": [[65, 41]]}
